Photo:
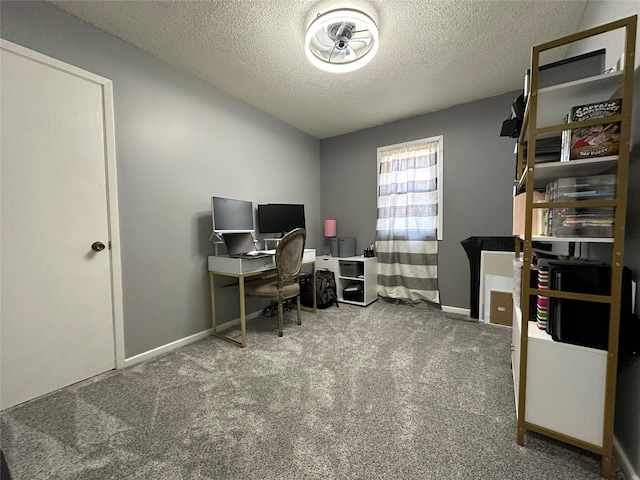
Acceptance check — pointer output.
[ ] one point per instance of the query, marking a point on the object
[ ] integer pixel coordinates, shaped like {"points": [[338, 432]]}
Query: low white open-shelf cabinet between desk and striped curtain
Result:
{"points": [[356, 278]]}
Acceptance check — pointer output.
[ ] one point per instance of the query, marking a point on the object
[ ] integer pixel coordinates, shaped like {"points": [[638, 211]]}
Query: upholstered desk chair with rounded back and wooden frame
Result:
{"points": [[286, 284]]}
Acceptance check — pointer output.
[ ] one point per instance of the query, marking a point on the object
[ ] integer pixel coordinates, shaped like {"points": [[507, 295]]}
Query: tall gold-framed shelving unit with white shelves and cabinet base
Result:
{"points": [[565, 391]]}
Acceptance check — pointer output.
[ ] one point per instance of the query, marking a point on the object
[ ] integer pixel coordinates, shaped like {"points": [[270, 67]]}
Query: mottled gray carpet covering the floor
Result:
{"points": [[383, 392]]}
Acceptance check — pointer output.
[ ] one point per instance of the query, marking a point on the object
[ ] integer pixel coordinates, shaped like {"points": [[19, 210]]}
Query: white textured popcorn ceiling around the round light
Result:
{"points": [[433, 54]]}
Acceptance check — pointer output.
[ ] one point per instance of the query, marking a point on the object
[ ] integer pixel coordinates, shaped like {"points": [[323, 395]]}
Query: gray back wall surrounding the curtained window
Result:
{"points": [[479, 168]]}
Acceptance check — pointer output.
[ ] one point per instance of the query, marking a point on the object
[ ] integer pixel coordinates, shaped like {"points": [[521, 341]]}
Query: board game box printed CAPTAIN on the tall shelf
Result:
{"points": [[597, 140]]}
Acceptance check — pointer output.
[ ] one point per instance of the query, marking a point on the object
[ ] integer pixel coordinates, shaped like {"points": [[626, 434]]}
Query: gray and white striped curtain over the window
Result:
{"points": [[408, 222]]}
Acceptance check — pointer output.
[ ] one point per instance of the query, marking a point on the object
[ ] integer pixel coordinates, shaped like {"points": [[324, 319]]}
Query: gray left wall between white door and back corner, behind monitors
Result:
{"points": [[178, 142]]}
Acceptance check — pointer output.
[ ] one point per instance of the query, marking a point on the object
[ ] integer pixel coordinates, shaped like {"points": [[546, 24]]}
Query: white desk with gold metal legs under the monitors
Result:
{"points": [[242, 268]]}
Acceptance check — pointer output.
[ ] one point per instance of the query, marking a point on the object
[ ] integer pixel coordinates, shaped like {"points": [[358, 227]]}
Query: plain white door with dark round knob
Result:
{"points": [[56, 312]]}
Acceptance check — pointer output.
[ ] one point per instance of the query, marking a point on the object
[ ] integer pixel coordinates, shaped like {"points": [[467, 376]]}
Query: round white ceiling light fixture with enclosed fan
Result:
{"points": [[341, 40]]}
